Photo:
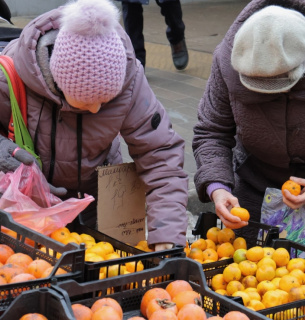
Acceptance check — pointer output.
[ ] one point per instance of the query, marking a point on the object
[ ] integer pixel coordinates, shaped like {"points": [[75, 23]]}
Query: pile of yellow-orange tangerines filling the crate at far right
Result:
{"points": [[264, 278]]}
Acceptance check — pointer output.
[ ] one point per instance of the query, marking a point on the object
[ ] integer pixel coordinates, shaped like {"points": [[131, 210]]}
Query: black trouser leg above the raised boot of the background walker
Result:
{"points": [[172, 12]]}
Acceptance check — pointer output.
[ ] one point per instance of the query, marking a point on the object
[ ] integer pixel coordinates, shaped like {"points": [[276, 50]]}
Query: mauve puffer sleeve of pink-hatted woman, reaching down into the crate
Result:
{"points": [[158, 153]]}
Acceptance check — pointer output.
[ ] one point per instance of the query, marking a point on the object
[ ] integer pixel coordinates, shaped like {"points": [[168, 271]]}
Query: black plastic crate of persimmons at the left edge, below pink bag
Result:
{"points": [[71, 259]]}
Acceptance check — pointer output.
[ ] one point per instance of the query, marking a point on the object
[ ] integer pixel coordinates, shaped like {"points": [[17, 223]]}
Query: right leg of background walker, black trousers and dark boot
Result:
{"points": [[172, 12]]}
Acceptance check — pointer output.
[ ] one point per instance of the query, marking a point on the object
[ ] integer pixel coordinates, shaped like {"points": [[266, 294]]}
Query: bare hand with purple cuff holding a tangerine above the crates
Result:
{"points": [[224, 202]]}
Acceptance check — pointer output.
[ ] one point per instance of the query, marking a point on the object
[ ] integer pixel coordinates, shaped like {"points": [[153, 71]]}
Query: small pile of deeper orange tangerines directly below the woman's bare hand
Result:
{"points": [[220, 244]]}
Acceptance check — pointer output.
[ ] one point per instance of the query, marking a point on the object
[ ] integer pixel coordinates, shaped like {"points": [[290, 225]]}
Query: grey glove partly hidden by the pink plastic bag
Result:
{"points": [[10, 162]]}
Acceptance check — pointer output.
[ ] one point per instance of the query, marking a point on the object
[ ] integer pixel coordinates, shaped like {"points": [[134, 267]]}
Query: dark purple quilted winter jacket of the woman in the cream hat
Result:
{"points": [[243, 139]]}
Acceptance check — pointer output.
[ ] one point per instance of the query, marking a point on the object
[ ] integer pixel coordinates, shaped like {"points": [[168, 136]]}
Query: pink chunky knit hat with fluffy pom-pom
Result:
{"points": [[88, 62]]}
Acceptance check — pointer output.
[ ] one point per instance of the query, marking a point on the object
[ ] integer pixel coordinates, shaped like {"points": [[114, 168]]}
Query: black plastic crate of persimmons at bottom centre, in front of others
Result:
{"points": [[129, 289]]}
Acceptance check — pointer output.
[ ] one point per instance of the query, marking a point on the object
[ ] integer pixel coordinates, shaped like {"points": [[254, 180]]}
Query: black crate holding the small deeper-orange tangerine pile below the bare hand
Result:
{"points": [[265, 235]]}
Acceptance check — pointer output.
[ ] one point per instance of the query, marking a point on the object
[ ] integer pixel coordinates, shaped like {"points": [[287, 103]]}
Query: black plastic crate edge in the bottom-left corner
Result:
{"points": [[45, 301]]}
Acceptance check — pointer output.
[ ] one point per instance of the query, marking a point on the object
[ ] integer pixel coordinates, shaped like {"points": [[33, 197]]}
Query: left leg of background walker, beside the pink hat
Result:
{"points": [[133, 24]]}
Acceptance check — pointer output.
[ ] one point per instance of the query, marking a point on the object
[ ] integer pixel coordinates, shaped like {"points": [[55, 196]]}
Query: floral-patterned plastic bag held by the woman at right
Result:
{"points": [[276, 213]]}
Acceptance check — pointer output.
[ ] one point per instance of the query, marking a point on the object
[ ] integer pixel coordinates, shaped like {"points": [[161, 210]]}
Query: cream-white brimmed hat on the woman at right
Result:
{"points": [[269, 50]]}
